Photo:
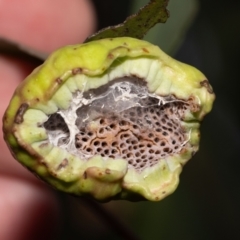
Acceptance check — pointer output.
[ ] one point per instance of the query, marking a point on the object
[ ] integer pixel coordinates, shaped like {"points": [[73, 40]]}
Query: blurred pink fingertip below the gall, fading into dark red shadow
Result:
{"points": [[28, 211]]}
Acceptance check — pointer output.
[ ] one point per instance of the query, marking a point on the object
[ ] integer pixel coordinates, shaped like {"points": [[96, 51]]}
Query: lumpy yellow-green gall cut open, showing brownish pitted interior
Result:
{"points": [[111, 119]]}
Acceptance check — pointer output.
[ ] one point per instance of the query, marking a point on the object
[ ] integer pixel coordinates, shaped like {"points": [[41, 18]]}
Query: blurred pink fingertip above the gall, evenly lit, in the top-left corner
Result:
{"points": [[46, 25]]}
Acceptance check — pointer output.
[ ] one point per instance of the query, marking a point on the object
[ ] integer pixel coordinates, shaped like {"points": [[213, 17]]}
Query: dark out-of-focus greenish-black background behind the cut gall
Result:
{"points": [[206, 203]]}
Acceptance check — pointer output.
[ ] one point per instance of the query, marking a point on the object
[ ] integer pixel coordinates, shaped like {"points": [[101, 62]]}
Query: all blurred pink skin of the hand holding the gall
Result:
{"points": [[29, 209]]}
